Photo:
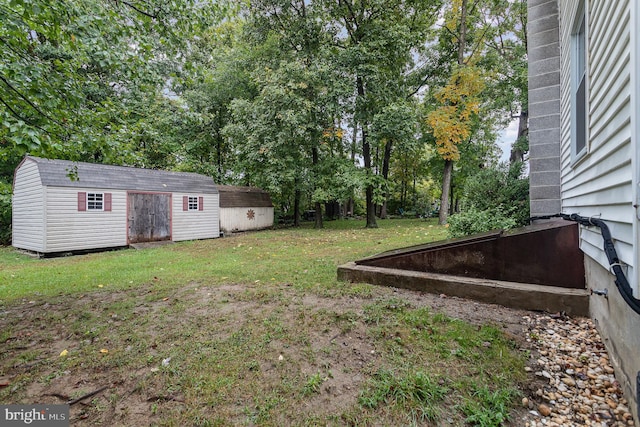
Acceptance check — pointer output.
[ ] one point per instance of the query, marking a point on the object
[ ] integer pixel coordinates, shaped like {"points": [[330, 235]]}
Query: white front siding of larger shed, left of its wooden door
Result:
{"points": [[68, 229]]}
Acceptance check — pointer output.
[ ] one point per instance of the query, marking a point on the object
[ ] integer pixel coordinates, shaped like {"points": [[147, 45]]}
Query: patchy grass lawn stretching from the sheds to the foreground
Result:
{"points": [[252, 329]]}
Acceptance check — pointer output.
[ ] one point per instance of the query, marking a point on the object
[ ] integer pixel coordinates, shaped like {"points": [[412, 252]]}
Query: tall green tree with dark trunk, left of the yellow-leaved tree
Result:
{"points": [[376, 41]]}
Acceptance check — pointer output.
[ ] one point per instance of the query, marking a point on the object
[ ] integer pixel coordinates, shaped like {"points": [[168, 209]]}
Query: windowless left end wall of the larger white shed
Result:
{"points": [[28, 209]]}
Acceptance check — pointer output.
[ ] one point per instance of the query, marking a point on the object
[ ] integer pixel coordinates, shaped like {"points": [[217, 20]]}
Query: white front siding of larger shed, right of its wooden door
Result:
{"points": [[195, 224]]}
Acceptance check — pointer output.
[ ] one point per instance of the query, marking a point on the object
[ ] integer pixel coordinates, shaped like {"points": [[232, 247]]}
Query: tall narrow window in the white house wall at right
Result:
{"points": [[579, 87]]}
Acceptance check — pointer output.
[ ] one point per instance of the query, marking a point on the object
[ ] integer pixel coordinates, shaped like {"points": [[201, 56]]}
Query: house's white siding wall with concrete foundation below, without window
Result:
{"points": [[604, 182]]}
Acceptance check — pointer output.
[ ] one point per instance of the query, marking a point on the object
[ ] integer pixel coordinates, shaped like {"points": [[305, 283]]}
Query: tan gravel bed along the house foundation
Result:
{"points": [[577, 385]]}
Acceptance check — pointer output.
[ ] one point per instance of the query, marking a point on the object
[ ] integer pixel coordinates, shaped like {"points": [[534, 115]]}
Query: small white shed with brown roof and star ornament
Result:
{"points": [[244, 208]]}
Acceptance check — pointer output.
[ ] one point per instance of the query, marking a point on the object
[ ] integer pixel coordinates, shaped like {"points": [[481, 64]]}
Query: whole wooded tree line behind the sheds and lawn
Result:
{"points": [[336, 107]]}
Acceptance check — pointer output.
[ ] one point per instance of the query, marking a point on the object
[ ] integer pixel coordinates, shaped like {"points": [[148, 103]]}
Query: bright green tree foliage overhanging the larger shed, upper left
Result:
{"points": [[70, 70]]}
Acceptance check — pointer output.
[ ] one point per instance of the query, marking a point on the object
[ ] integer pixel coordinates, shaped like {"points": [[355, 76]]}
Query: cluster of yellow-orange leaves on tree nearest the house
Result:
{"points": [[451, 120]]}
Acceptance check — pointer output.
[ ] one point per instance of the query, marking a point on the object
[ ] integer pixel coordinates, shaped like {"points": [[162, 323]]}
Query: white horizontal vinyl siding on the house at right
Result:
{"points": [[600, 183]]}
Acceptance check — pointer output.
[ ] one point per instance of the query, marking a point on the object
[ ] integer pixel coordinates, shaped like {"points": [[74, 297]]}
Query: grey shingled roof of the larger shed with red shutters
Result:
{"points": [[56, 173]]}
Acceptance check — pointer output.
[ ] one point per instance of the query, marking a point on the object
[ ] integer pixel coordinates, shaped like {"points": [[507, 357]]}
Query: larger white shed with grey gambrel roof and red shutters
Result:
{"points": [[64, 206]]}
